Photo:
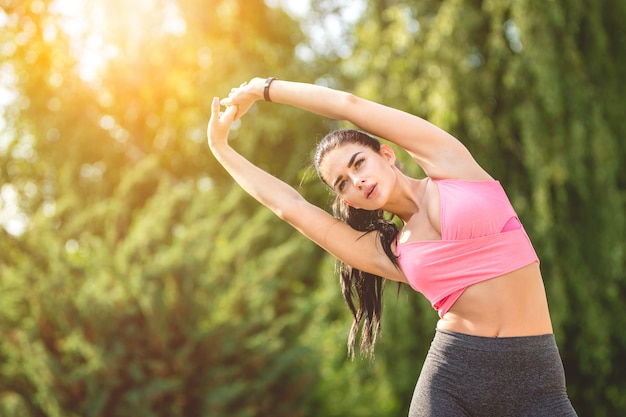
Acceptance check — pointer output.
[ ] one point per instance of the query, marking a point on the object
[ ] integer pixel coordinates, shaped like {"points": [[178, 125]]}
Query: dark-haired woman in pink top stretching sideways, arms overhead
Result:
{"points": [[461, 245]]}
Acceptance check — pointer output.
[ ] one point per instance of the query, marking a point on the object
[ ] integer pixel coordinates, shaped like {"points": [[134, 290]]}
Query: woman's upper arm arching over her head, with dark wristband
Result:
{"points": [[439, 154]]}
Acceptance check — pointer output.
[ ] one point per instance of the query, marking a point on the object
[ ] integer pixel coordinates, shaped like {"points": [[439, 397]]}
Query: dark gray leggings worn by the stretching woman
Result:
{"points": [[466, 375]]}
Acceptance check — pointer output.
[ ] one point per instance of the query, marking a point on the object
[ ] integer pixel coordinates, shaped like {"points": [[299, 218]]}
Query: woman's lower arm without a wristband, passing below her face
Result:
{"points": [[336, 237]]}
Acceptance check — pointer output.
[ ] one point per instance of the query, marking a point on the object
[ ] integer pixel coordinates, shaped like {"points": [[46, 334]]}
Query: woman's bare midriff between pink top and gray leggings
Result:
{"points": [[514, 304]]}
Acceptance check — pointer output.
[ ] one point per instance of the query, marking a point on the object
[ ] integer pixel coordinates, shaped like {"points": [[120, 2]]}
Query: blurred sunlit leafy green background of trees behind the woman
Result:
{"points": [[137, 279]]}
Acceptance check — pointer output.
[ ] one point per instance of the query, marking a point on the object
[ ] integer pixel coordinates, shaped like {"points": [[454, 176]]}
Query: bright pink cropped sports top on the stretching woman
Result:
{"points": [[481, 238]]}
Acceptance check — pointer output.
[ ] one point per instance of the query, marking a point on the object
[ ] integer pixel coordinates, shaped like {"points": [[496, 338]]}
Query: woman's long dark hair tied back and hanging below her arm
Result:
{"points": [[362, 291]]}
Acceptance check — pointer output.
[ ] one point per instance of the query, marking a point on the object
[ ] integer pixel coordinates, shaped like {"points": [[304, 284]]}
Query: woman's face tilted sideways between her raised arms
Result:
{"points": [[361, 176]]}
